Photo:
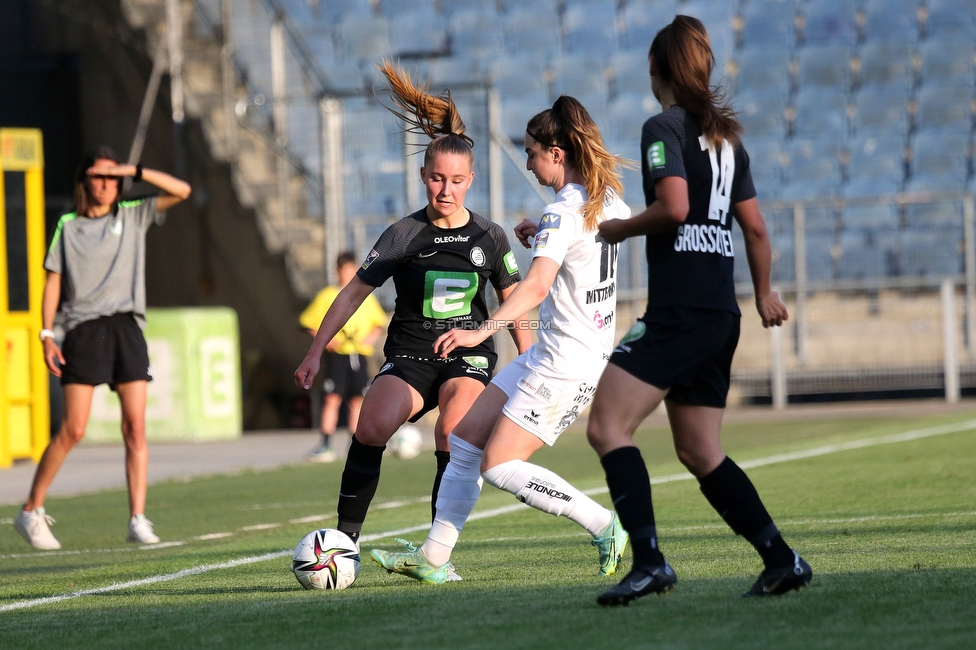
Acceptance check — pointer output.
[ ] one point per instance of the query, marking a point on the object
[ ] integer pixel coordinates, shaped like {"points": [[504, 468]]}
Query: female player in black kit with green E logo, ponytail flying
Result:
{"points": [[440, 259]]}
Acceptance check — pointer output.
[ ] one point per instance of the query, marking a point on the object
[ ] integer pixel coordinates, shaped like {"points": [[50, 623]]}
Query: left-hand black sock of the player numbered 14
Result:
{"points": [[630, 490]]}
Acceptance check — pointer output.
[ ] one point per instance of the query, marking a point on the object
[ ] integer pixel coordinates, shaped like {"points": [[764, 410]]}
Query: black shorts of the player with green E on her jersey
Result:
{"points": [[427, 375]]}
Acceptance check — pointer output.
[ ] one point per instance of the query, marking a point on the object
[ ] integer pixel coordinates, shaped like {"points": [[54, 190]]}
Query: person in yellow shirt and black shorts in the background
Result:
{"points": [[346, 375]]}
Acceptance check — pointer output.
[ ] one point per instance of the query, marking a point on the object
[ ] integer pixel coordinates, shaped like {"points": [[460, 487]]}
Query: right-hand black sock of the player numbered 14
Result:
{"points": [[735, 499]]}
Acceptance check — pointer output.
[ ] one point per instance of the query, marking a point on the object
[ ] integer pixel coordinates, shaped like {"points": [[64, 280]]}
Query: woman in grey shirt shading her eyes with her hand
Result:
{"points": [[97, 275]]}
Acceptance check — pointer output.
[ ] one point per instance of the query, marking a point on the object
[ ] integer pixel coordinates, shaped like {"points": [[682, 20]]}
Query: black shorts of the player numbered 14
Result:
{"points": [[684, 350]]}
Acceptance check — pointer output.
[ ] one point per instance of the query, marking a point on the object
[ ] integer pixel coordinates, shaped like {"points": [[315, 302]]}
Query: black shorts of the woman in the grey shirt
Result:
{"points": [[108, 350]]}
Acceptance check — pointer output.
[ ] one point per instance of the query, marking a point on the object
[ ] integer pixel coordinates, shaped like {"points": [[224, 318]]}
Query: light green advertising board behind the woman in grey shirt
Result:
{"points": [[195, 393]]}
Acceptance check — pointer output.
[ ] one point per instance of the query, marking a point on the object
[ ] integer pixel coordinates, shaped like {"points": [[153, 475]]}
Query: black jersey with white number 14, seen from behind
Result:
{"points": [[691, 265]]}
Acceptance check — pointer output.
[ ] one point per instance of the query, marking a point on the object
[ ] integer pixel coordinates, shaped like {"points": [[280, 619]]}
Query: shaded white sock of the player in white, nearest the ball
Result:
{"points": [[456, 497]]}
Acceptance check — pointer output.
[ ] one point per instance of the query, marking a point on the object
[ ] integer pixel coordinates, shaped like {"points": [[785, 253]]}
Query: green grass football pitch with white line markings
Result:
{"points": [[889, 529]]}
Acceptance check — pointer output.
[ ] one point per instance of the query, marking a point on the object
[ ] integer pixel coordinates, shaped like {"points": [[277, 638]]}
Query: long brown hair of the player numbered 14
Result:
{"points": [[683, 57]]}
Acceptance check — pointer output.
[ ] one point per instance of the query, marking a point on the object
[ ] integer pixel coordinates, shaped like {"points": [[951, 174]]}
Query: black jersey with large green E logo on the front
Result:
{"points": [[440, 276]]}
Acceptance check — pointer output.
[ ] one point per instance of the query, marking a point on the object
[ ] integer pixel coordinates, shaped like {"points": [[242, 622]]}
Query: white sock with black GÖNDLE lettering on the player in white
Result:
{"points": [[549, 492]]}
